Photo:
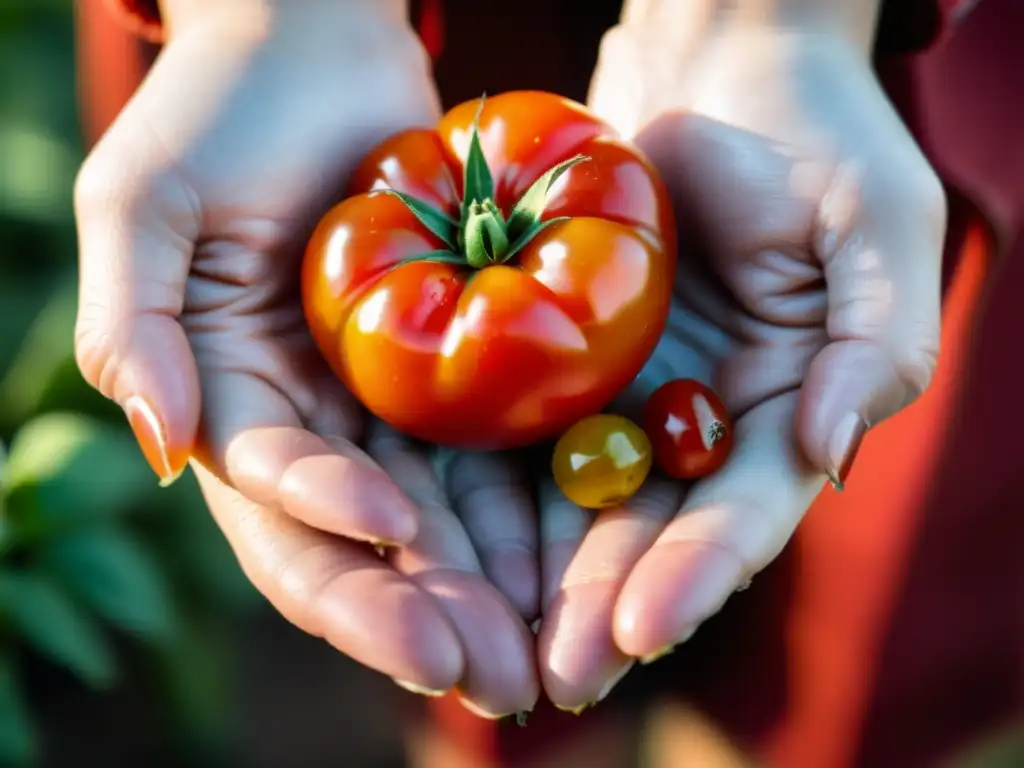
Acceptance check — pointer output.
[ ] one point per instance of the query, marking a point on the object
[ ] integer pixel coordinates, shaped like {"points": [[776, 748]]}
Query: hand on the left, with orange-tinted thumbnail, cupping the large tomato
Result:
{"points": [[193, 212]]}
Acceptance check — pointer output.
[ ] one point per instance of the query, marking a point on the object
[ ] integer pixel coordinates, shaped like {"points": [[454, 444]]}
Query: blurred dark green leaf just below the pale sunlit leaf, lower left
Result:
{"points": [[117, 578]]}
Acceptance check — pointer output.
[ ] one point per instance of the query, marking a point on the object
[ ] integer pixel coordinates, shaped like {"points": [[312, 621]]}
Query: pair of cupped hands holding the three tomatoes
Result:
{"points": [[813, 307]]}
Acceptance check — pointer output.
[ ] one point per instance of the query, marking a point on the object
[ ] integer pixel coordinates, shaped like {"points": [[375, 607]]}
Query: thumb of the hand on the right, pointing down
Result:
{"points": [[880, 241]]}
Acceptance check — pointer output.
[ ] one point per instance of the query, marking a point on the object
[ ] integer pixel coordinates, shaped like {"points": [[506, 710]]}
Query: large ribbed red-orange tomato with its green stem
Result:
{"points": [[494, 281]]}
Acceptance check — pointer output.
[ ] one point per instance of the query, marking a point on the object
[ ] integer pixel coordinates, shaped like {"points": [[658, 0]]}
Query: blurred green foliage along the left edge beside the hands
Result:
{"points": [[99, 567]]}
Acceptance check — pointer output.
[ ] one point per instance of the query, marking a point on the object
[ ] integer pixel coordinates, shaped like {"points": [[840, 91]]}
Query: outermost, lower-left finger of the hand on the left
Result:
{"points": [[340, 591]]}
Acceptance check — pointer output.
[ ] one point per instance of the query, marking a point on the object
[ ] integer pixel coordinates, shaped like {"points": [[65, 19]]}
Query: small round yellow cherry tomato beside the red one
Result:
{"points": [[602, 461]]}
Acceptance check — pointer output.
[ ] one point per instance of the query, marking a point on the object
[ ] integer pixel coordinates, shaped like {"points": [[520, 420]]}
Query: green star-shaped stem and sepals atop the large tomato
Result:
{"points": [[483, 236]]}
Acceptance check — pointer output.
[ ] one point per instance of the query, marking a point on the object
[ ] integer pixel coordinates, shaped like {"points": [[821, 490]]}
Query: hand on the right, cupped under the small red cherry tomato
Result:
{"points": [[814, 311]]}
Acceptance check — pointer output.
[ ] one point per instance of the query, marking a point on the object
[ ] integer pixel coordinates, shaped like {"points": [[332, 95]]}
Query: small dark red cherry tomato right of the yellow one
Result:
{"points": [[690, 430]]}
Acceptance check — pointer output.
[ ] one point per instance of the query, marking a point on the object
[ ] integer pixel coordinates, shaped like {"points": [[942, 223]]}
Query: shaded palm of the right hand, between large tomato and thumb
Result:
{"points": [[751, 307]]}
